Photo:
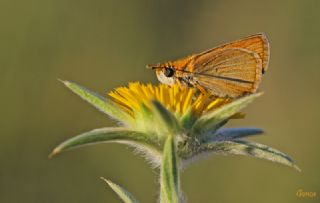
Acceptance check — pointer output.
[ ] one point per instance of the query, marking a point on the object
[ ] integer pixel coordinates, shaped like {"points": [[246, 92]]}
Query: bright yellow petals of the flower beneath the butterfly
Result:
{"points": [[175, 98]]}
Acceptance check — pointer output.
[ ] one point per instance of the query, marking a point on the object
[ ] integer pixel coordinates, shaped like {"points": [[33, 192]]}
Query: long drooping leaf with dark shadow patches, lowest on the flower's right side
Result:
{"points": [[247, 148]]}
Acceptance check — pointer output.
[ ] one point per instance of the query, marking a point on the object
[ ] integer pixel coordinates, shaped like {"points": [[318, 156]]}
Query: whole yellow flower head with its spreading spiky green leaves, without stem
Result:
{"points": [[150, 114]]}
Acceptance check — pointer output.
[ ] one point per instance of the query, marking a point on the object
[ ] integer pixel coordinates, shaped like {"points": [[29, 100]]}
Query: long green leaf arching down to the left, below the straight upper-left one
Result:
{"points": [[122, 135]]}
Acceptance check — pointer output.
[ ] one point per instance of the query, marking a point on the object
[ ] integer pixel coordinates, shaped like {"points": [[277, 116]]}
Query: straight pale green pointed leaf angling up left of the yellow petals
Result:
{"points": [[102, 104]]}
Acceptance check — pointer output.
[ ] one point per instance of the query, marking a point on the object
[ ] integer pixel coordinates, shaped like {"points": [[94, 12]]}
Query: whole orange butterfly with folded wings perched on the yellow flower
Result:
{"points": [[230, 70]]}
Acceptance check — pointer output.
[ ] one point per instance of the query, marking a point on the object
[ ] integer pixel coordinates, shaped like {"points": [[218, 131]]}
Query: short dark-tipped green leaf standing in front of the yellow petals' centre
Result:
{"points": [[165, 119]]}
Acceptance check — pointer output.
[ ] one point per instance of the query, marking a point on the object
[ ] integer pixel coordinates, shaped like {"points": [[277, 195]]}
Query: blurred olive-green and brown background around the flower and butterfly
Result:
{"points": [[105, 44]]}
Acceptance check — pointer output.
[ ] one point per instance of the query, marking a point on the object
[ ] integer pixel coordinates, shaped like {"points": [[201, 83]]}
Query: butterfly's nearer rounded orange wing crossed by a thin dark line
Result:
{"points": [[230, 72]]}
